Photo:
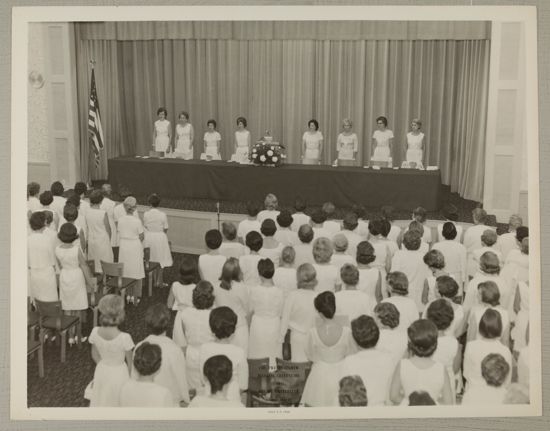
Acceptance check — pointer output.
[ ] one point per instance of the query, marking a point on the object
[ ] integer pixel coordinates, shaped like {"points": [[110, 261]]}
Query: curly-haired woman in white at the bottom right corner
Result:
{"points": [[495, 371]]}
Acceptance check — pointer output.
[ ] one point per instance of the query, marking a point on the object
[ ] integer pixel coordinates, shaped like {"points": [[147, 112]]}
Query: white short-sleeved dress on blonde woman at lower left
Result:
{"points": [[111, 371]]}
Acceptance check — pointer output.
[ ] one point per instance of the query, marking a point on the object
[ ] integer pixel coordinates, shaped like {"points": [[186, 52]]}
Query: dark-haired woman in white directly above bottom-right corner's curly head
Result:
{"points": [[490, 329]]}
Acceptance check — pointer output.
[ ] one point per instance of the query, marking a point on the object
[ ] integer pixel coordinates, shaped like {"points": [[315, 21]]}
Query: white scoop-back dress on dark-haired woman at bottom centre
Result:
{"points": [[322, 382]]}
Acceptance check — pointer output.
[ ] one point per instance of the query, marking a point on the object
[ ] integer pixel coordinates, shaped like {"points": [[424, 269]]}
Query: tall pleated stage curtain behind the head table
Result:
{"points": [[279, 85]]}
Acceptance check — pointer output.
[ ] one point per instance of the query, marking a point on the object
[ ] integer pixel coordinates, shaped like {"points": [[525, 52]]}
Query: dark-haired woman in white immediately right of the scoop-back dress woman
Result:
{"points": [[374, 366]]}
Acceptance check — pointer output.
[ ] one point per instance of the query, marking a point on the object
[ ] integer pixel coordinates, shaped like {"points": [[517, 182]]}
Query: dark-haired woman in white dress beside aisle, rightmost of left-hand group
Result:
{"points": [[155, 223]]}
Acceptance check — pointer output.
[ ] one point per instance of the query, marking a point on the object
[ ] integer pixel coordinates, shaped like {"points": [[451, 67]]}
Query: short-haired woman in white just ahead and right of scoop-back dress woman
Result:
{"points": [[351, 302]]}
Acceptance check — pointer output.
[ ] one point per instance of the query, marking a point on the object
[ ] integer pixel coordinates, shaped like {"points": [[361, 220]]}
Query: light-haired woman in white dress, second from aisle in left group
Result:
{"points": [[131, 234]]}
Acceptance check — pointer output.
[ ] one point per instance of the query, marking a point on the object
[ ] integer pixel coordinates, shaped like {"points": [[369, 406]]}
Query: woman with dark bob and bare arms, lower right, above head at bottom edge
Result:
{"points": [[420, 372]]}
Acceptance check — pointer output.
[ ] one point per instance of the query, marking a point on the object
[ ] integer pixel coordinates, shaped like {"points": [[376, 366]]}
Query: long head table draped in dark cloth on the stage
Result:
{"points": [[344, 186]]}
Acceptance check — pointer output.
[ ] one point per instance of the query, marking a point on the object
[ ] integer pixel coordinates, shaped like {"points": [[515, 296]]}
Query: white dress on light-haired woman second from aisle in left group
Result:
{"points": [[131, 248]]}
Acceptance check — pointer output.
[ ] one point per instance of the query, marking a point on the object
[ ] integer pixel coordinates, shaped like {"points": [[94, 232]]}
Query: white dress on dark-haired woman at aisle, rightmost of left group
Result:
{"points": [[155, 222]]}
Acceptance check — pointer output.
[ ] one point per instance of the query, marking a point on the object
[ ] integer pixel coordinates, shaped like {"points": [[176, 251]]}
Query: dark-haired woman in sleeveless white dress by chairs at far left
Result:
{"points": [[75, 274]]}
